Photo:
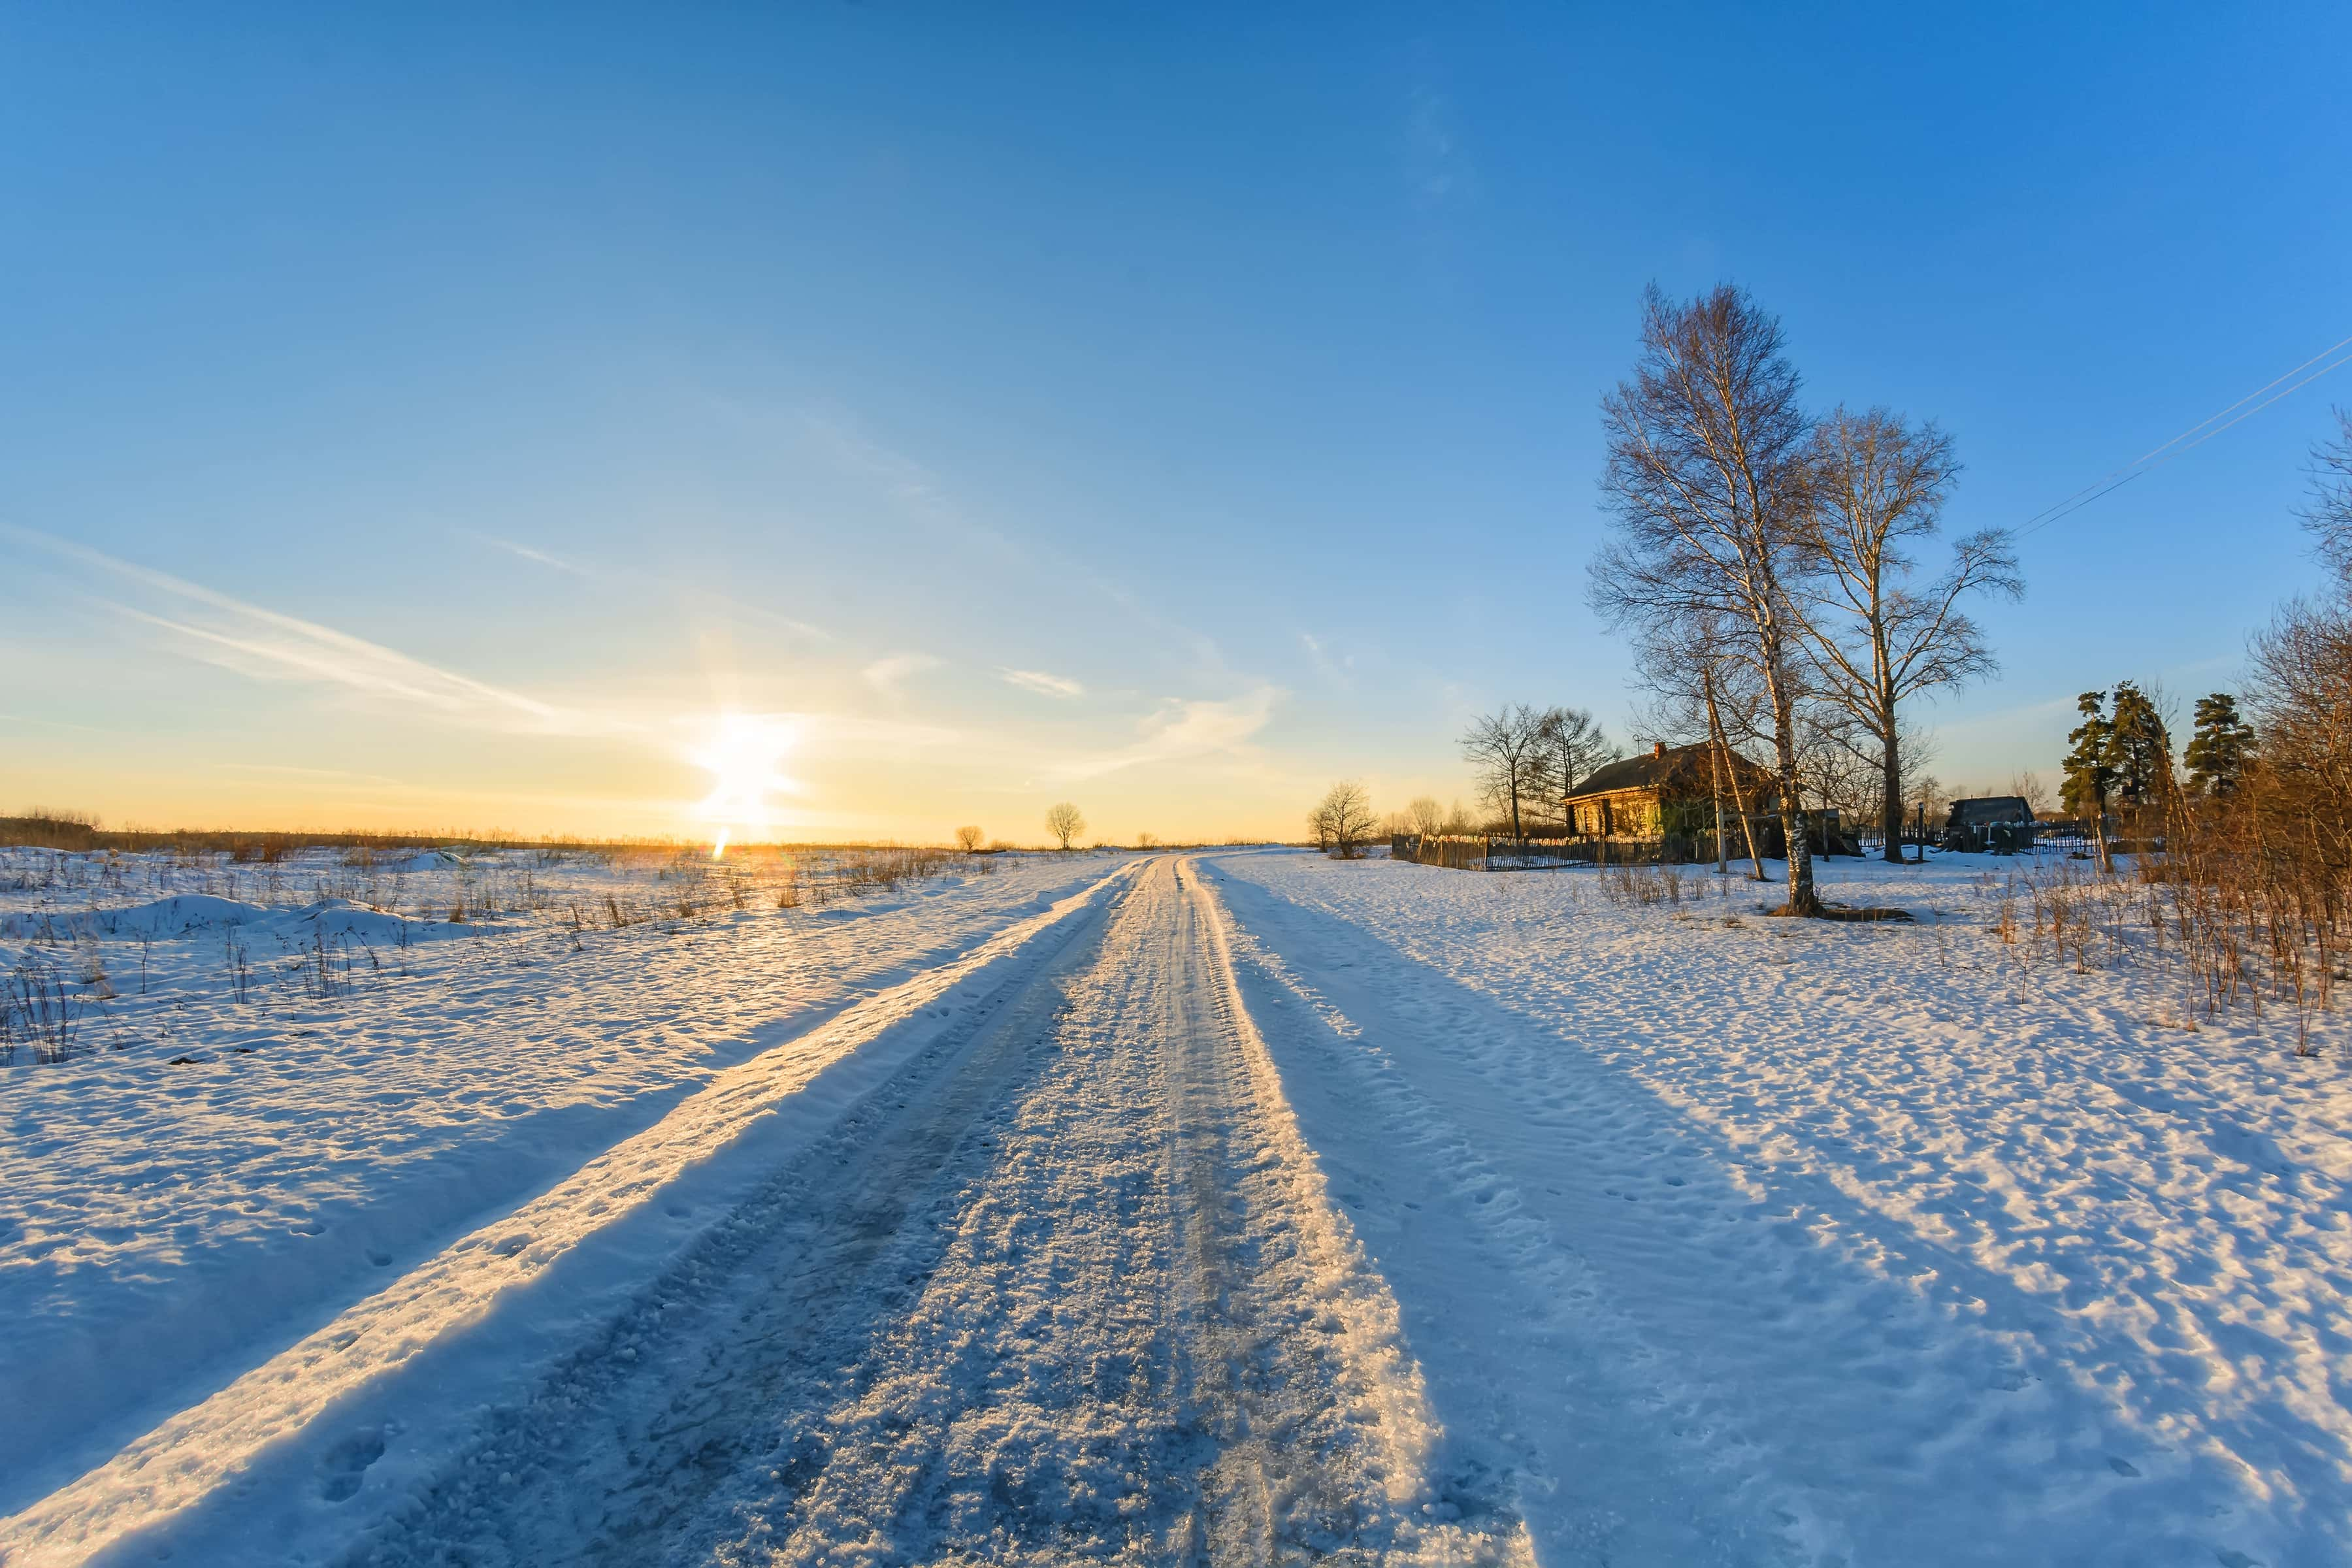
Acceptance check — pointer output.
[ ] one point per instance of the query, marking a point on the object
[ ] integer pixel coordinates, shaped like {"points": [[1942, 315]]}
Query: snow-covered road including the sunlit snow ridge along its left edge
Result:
{"points": [[1064, 1285]]}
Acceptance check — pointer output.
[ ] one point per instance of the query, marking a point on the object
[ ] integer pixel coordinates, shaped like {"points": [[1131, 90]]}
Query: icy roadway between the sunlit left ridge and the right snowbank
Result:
{"points": [[1071, 1292]]}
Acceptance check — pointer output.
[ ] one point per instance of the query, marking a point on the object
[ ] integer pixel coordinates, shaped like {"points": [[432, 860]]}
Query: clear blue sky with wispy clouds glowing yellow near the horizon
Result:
{"points": [[441, 420]]}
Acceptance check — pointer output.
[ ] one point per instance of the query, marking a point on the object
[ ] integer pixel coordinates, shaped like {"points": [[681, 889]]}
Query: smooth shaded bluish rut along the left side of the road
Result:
{"points": [[702, 1386]]}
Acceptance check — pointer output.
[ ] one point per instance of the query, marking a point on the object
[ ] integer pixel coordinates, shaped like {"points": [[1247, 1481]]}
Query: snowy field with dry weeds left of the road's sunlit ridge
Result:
{"points": [[206, 1174]]}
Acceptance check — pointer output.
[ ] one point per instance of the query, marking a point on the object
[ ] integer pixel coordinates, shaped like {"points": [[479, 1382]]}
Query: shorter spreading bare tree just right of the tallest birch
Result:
{"points": [[1873, 636]]}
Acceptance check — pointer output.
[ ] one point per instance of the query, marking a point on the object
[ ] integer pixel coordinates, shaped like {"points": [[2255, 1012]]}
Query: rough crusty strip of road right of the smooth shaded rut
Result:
{"points": [[1149, 1341]]}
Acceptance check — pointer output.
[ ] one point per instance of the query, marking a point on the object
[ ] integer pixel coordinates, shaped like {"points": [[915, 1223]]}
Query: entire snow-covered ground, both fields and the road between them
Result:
{"points": [[1227, 1207]]}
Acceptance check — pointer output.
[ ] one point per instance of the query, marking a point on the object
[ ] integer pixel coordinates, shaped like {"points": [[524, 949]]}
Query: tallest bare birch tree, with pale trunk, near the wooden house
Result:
{"points": [[1709, 488]]}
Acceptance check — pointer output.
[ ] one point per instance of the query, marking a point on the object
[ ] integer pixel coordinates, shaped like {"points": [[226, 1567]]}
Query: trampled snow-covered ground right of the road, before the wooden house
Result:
{"points": [[1758, 1240]]}
